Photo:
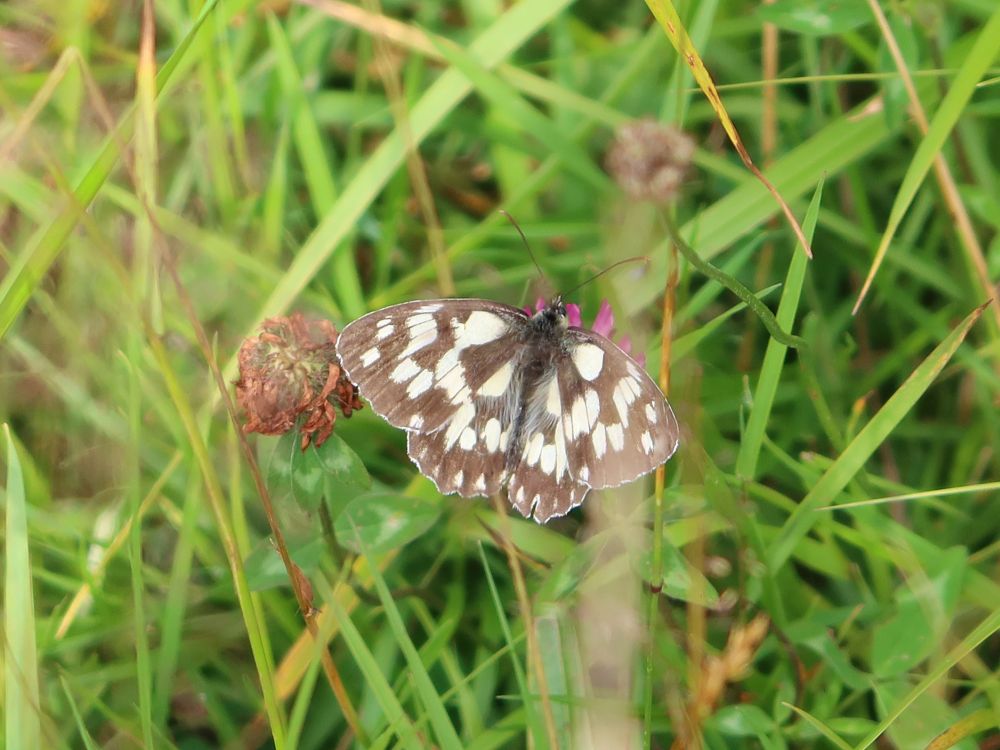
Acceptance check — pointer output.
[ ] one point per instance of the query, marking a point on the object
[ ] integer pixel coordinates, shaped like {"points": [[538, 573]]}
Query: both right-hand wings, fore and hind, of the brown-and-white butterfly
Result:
{"points": [[597, 420]]}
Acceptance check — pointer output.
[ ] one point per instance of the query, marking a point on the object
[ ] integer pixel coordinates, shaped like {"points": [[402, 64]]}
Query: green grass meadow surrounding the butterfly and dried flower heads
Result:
{"points": [[817, 566]]}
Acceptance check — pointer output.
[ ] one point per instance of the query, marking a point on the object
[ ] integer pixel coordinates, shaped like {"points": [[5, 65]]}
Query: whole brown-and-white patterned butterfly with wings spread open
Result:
{"points": [[491, 395]]}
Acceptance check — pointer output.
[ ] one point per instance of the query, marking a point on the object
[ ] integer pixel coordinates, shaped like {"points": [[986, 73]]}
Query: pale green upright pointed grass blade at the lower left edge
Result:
{"points": [[21, 705]]}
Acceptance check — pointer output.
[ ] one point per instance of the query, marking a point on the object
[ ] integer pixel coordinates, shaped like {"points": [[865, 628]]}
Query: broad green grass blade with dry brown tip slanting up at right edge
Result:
{"points": [[866, 443]]}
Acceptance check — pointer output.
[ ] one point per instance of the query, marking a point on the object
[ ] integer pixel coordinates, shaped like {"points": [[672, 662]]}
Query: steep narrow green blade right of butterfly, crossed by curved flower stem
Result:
{"points": [[774, 357]]}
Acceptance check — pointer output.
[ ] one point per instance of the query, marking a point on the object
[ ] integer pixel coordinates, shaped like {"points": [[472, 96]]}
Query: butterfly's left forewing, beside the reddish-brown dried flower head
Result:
{"points": [[421, 364]]}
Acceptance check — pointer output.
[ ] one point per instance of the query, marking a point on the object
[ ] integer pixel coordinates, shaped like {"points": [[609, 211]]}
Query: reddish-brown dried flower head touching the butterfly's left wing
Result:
{"points": [[290, 370]]}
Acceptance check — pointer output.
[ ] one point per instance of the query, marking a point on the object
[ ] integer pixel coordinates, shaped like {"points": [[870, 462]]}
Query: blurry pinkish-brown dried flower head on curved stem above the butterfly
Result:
{"points": [[649, 160]]}
